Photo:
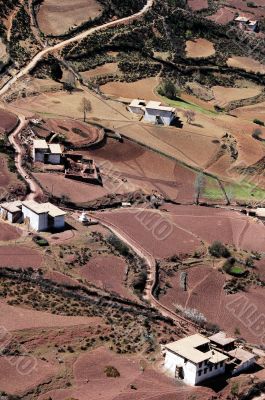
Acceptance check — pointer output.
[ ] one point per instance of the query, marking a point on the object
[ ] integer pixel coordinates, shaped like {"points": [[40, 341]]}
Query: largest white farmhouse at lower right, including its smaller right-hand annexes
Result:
{"points": [[196, 358]]}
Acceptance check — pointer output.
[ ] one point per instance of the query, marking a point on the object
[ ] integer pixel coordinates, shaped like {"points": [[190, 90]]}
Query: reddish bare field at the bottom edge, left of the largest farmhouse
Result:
{"points": [[91, 382]]}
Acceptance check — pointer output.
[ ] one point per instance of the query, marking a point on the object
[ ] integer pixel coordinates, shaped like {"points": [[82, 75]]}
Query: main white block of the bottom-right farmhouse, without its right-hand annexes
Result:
{"points": [[193, 360]]}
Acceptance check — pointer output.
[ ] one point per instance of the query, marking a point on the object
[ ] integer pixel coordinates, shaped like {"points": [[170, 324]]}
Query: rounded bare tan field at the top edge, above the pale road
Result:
{"points": [[68, 13]]}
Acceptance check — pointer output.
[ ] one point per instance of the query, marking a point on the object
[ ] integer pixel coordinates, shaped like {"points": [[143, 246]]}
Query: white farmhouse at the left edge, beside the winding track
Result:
{"points": [[41, 217]]}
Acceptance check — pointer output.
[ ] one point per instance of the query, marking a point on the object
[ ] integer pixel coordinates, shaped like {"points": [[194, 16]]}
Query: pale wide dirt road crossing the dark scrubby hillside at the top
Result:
{"points": [[80, 36]]}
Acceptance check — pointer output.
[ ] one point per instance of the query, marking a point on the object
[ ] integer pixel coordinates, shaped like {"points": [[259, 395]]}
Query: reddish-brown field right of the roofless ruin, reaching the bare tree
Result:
{"points": [[136, 164]]}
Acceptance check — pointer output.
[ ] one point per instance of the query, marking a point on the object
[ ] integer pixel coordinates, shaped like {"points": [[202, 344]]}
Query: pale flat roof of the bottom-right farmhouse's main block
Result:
{"points": [[187, 348]]}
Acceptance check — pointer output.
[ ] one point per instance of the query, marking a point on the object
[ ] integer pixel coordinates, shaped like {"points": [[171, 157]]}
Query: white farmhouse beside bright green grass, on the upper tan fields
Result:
{"points": [[153, 112]]}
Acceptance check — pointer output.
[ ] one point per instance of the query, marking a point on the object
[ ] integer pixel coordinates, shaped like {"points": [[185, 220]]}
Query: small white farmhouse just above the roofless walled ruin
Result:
{"points": [[46, 153]]}
